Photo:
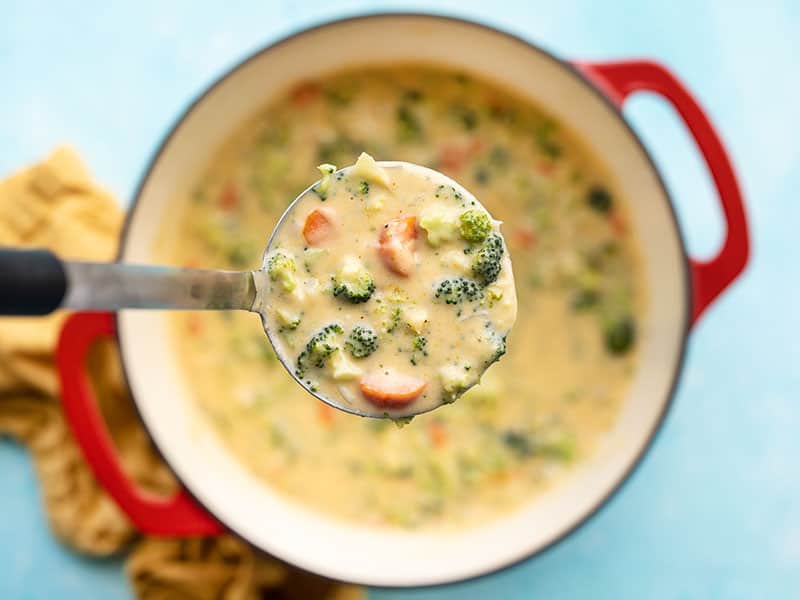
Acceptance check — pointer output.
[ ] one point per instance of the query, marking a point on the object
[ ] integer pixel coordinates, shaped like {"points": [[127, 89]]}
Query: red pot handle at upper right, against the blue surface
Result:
{"points": [[618, 80]]}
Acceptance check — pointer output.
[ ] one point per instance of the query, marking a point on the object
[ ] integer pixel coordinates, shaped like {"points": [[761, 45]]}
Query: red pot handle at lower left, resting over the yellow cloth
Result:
{"points": [[178, 515]]}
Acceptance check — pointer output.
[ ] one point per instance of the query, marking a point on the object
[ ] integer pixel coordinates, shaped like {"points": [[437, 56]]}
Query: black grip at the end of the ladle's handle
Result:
{"points": [[32, 282]]}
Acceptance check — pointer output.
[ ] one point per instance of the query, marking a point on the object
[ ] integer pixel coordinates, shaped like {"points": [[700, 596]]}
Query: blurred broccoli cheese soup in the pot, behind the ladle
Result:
{"points": [[570, 356]]}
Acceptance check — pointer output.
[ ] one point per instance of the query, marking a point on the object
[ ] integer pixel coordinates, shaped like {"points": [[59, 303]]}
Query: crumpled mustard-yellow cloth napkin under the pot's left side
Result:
{"points": [[55, 204]]}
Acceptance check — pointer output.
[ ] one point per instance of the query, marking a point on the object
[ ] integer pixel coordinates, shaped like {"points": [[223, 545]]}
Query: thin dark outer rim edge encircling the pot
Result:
{"points": [[528, 45]]}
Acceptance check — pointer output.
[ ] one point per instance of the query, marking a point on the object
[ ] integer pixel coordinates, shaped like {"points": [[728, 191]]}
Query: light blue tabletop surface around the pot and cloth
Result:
{"points": [[713, 512]]}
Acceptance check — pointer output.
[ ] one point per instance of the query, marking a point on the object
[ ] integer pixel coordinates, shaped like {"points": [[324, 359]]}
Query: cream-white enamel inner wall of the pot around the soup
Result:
{"points": [[341, 550]]}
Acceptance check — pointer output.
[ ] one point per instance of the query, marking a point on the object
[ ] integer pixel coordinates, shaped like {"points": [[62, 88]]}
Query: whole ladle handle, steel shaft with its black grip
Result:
{"points": [[37, 282]]}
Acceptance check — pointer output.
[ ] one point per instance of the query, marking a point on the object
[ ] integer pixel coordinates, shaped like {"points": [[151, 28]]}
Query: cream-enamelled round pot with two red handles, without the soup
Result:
{"points": [[218, 493]]}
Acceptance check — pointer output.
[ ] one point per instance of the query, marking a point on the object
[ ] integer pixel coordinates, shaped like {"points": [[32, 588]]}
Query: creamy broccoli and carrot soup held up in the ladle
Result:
{"points": [[373, 320]]}
